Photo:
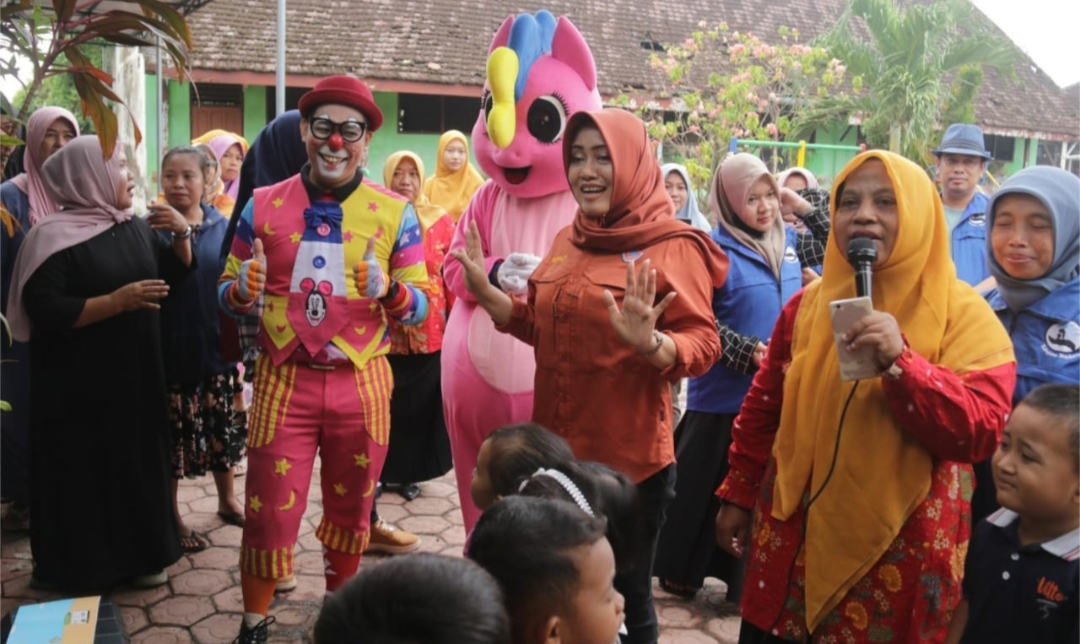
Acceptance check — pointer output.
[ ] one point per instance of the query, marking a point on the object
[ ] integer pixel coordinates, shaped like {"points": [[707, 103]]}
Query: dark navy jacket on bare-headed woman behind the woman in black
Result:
{"points": [[191, 328]]}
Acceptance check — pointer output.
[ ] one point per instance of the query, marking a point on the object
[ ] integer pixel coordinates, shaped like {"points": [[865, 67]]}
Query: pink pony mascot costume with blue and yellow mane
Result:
{"points": [[539, 73]]}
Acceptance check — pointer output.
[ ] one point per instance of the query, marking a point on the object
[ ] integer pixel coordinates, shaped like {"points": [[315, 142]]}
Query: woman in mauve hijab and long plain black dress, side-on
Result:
{"points": [[85, 296]]}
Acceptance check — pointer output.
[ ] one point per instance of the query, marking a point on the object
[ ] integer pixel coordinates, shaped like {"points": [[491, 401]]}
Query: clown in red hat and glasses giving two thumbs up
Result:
{"points": [[335, 257]]}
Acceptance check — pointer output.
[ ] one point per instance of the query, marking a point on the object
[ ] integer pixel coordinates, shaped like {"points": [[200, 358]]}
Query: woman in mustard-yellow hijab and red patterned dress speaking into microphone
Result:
{"points": [[861, 491]]}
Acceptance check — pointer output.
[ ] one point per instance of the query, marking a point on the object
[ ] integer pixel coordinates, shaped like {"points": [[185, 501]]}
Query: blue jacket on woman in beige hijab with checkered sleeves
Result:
{"points": [[750, 303]]}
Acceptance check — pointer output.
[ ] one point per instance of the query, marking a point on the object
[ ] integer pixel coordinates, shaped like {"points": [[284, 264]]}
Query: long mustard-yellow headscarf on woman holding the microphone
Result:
{"points": [[882, 474]]}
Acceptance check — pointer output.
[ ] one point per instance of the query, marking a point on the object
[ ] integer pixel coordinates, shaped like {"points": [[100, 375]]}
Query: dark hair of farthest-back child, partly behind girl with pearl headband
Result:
{"points": [[517, 451]]}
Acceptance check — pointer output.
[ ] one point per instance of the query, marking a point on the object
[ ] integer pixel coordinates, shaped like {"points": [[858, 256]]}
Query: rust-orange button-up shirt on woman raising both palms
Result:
{"points": [[611, 405]]}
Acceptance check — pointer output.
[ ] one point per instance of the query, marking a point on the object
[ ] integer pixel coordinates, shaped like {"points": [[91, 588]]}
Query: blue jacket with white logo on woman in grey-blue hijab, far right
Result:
{"points": [[1046, 338]]}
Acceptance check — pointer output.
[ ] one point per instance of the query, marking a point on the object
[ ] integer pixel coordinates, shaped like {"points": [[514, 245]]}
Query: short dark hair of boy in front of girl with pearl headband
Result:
{"points": [[526, 544]]}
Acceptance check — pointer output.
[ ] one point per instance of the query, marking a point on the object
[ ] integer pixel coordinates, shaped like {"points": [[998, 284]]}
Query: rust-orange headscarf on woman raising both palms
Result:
{"points": [[641, 213]]}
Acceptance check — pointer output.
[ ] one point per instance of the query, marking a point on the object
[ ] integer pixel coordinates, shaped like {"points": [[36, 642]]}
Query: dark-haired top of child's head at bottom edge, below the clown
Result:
{"points": [[417, 598]]}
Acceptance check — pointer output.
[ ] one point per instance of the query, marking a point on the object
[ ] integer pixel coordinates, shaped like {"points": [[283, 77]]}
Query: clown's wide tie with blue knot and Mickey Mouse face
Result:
{"points": [[318, 306]]}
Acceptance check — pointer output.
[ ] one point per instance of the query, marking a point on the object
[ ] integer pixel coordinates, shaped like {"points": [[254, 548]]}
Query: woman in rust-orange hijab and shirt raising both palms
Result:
{"points": [[611, 339]]}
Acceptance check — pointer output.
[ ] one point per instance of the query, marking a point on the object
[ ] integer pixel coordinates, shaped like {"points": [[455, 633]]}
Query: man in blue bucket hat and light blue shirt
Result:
{"points": [[962, 163]]}
